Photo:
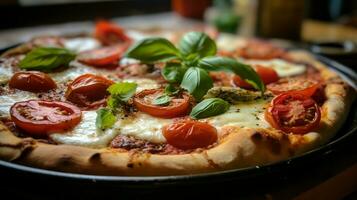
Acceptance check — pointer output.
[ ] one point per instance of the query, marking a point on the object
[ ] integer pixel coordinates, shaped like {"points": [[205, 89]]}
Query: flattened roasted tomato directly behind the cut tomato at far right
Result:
{"points": [[307, 87]]}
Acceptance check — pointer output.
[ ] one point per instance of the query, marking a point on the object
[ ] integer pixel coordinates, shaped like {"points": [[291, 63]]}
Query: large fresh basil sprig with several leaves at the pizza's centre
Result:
{"points": [[193, 58]]}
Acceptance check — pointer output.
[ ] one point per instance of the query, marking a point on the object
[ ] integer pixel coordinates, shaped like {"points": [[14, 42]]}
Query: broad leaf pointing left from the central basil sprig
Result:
{"points": [[153, 50]]}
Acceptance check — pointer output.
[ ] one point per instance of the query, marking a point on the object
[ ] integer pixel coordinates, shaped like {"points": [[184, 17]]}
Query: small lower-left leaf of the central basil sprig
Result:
{"points": [[173, 72]]}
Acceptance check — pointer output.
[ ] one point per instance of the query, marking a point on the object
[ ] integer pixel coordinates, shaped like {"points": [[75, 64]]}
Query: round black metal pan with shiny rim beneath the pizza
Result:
{"points": [[248, 176]]}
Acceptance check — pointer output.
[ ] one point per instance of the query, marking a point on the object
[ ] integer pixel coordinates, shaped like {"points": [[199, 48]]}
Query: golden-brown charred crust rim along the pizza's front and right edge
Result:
{"points": [[240, 147]]}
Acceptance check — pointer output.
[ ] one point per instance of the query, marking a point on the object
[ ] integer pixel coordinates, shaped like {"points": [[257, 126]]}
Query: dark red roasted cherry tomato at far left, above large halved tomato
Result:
{"points": [[32, 81]]}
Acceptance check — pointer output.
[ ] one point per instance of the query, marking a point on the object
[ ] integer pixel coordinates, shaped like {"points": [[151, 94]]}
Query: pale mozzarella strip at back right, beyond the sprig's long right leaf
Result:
{"points": [[282, 67]]}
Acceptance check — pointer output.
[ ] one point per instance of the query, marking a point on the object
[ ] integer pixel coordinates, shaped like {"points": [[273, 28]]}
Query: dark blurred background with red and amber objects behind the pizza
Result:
{"points": [[328, 27]]}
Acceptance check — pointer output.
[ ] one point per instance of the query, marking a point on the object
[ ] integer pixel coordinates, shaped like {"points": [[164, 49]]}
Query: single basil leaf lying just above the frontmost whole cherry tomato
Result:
{"points": [[209, 107]]}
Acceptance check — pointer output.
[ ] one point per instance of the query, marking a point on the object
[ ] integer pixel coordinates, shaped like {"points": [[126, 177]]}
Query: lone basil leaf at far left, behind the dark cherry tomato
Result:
{"points": [[46, 58]]}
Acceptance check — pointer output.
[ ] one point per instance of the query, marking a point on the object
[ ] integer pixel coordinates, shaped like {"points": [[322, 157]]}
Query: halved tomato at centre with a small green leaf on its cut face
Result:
{"points": [[178, 106]]}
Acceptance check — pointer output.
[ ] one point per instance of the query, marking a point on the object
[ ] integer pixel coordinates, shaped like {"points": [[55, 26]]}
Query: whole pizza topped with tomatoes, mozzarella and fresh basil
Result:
{"points": [[163, 102]]}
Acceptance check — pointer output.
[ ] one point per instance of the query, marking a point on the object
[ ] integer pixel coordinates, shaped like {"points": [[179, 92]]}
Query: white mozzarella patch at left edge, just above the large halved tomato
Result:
{"points": [[6, 101]]}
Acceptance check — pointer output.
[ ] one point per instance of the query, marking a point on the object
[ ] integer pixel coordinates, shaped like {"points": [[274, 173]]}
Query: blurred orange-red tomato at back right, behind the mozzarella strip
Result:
{"points": [[261, 50]]}
